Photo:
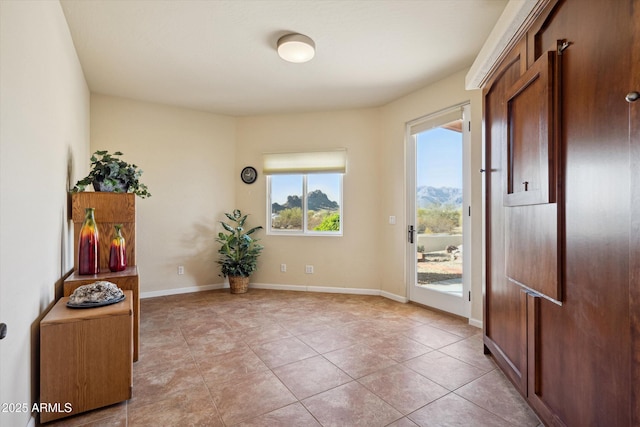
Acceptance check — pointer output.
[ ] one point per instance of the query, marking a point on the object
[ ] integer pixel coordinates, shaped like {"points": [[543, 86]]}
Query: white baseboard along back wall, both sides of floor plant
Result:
{"points": [[301, 288]]}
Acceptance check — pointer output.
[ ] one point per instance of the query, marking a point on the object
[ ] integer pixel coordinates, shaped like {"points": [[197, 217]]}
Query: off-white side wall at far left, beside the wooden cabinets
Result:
{"points": [[44, 140]]}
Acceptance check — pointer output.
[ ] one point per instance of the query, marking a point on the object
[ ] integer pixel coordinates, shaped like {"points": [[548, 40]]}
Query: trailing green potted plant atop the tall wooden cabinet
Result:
{"points": [[109, 173]]}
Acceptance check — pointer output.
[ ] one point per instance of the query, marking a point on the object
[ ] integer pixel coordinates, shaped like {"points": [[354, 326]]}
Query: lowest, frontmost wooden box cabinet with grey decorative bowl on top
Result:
{"points": [[86, 357]]}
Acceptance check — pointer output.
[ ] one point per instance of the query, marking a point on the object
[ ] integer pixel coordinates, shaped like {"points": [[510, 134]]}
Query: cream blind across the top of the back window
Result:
{"points": [[334, 161]]}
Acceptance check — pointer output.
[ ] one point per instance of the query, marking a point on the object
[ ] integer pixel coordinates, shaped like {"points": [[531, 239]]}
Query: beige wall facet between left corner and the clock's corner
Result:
{"points": [[188, 159]]}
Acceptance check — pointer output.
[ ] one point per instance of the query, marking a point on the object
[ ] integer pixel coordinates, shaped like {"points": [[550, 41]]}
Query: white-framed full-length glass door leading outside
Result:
{"points": [[438, 151]]}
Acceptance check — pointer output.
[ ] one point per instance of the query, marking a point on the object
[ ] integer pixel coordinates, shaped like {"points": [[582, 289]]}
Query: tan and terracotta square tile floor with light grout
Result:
{"points": [[297, 359]]}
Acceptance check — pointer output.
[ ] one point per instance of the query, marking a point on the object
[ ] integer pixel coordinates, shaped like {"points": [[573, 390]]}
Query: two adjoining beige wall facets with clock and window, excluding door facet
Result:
{"points": [[192, 162]]}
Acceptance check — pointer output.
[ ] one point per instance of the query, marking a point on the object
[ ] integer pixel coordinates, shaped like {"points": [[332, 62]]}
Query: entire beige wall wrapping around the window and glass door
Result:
{"points": [[177, 225]]}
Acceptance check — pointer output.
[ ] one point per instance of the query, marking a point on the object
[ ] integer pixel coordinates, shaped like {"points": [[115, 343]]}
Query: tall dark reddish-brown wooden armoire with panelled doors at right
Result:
{"points": [[562, 145]]}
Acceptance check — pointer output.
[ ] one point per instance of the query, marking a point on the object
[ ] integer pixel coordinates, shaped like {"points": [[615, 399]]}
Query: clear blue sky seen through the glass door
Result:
{"points": [[439, 158]]}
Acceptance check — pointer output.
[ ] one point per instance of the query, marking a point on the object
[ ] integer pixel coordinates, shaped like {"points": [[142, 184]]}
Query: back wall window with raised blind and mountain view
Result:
{"points": [[305, 193]]}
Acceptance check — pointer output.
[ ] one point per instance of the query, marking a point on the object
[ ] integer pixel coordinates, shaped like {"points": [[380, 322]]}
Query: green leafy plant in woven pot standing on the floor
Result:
{"points": [[238, 251]]}
